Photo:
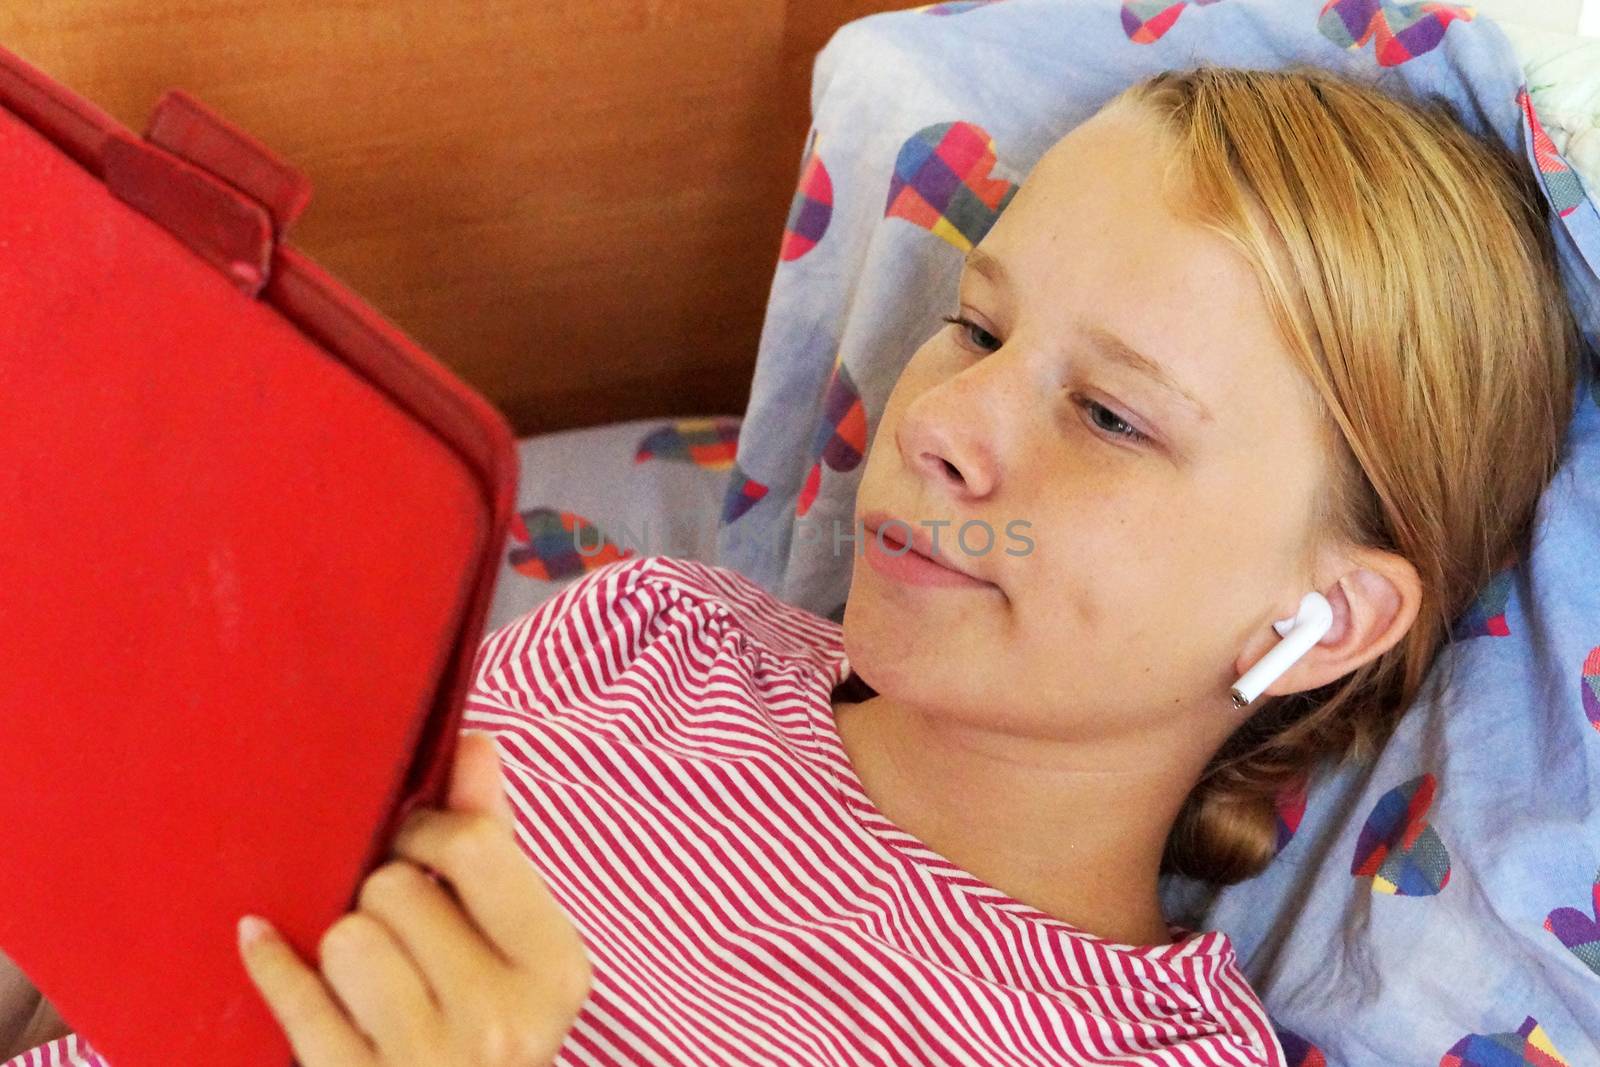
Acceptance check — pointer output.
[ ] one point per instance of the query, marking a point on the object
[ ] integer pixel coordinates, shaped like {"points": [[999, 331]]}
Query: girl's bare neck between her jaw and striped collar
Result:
{"points": [[1071, 828]]}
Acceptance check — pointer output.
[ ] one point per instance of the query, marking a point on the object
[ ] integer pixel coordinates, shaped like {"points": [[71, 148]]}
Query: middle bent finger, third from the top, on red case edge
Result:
{"points": [[454, 956]]}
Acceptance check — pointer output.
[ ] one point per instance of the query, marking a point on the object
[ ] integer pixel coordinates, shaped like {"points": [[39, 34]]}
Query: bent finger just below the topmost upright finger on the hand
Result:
{"points": [[497, 884]]}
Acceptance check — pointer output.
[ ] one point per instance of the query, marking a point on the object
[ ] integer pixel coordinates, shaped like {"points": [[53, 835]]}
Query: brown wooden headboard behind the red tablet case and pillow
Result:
{"points": [[575, 204]]}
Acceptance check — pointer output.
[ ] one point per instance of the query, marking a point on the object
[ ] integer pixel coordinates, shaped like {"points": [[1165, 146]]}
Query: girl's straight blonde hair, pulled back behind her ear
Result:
{"points": [[1412, 273]]}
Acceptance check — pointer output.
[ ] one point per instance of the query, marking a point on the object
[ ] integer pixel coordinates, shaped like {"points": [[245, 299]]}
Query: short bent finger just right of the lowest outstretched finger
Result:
{"points": [[380, 986]]}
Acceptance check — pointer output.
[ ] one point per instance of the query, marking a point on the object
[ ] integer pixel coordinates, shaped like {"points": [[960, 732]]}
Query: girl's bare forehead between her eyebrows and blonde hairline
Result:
{"points": [[1094, 238]]}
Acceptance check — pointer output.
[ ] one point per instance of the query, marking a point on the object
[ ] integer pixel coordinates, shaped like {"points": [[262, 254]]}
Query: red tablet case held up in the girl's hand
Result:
{"points": [[249, 535]]}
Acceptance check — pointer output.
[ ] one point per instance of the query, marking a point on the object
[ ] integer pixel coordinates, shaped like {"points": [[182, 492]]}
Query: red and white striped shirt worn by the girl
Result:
{"points": [[670, 746]]}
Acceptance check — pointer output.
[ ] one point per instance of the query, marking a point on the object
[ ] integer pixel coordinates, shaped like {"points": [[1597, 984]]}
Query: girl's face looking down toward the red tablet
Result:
{"points": [[1161, 514]]}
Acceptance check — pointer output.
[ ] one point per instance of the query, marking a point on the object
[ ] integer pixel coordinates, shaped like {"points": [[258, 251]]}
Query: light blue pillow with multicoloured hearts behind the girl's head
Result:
{"points": [[1436, 906]]}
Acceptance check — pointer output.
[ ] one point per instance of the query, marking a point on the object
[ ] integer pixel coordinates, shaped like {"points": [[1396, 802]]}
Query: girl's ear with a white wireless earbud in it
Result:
{"points": [[1375, 601]]}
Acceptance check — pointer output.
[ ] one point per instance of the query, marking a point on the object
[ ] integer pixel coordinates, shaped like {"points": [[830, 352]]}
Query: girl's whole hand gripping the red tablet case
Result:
{"points": [[492, 975]]}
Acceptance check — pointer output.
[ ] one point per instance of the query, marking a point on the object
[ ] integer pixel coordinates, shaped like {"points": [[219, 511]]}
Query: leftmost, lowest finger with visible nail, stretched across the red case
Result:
{"points": [[305, 1007]]}
